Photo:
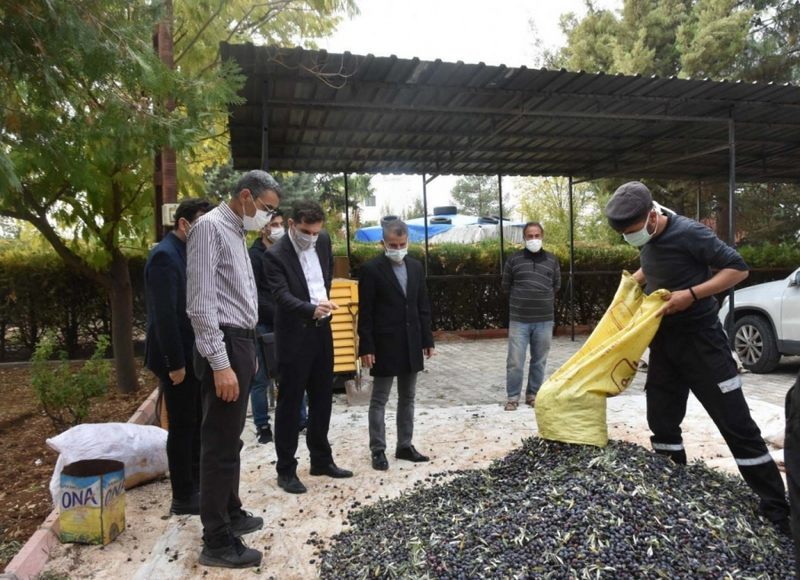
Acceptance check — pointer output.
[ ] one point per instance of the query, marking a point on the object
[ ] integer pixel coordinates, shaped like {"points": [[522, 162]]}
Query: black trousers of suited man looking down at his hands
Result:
{"points": [[311, 371]]}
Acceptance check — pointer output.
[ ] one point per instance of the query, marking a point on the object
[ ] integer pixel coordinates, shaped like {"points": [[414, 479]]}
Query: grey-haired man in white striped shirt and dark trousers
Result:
{"points": [[222, 304]]}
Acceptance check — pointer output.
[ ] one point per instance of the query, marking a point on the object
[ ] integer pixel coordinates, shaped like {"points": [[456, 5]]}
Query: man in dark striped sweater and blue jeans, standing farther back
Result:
{"points": [[531, 278]]}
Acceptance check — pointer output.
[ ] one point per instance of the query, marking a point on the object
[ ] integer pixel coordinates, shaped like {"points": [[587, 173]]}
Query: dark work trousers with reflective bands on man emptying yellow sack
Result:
{"points": [[700, 361]]}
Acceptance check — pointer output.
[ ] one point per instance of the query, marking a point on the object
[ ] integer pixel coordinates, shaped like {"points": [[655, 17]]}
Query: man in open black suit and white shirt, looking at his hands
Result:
{"points": [[299, 270]]}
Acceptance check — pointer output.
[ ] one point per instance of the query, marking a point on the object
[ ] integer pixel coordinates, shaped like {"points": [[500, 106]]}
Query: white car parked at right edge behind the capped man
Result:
{"points": [[766, 322]]}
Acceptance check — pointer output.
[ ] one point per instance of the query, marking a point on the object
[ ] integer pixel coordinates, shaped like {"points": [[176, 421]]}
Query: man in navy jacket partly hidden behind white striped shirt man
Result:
{"points": [[168, 351]]}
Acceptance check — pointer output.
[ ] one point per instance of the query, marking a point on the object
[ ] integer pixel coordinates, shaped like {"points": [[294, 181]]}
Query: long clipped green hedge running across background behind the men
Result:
{"points": [[38, 293]]}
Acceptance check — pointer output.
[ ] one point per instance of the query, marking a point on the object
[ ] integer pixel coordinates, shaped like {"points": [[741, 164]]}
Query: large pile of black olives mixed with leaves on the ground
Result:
{"points": [[553, 510]]}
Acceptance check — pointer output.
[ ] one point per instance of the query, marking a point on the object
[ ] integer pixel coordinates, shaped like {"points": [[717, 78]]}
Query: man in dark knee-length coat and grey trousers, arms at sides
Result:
{"points": [[394, 332]]}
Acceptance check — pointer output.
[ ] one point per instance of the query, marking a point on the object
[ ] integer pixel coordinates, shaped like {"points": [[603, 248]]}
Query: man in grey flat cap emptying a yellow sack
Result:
{"points": [[690, 350]]}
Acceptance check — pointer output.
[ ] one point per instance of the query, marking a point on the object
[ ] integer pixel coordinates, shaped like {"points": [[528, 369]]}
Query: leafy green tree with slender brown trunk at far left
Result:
{"points": [[83, 90]]}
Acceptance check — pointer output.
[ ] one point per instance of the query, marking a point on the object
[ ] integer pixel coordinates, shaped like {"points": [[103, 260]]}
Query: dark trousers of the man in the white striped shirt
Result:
{"points": [[221, 443]]}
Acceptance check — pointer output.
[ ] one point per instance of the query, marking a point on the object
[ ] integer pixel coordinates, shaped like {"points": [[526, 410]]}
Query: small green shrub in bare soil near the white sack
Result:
{"points": [[64, 392]]}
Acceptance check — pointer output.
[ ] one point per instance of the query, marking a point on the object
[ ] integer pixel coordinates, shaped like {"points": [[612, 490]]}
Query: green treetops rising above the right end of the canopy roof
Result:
{"points": [[745, 40]]}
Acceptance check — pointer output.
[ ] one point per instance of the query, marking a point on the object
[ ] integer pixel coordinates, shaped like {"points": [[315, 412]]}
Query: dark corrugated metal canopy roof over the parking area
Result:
{"points": [[314, 111]]}
